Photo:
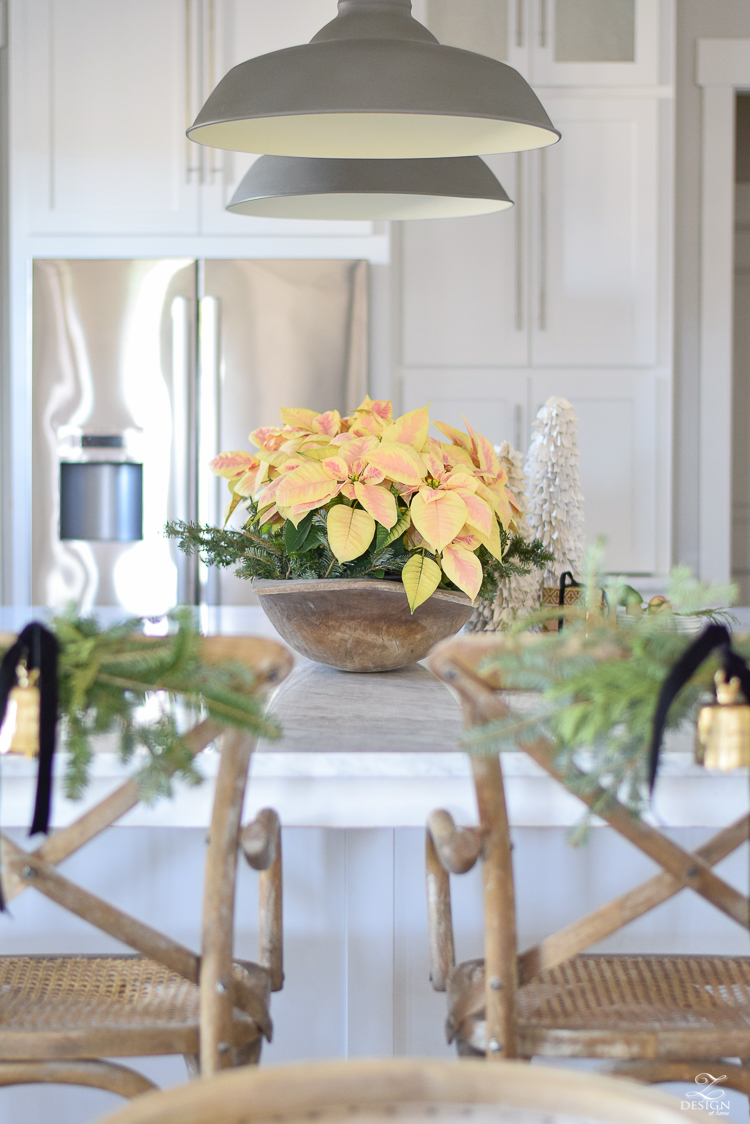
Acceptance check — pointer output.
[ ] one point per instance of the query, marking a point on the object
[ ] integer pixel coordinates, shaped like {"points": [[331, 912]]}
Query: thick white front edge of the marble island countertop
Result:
{"points": [[374, 791]]}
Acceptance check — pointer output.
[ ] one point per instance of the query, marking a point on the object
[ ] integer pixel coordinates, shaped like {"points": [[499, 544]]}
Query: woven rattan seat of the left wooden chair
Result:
{"points": [[120, 1001]]}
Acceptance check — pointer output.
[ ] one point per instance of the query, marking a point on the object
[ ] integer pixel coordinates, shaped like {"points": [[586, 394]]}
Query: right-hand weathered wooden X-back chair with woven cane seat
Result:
{"points": [[658, 1018]]}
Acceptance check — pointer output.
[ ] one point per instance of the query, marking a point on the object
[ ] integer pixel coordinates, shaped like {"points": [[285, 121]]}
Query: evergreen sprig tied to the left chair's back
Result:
{"points": [[107, 676]]}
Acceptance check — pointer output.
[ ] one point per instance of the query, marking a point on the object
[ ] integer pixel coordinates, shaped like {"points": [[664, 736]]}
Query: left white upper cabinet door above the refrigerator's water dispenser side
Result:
{"points": [[102, 97]]}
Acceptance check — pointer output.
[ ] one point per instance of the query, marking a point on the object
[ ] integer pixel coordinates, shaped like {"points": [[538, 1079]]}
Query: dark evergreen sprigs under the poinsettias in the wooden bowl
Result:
{"points": [[304, 551]]}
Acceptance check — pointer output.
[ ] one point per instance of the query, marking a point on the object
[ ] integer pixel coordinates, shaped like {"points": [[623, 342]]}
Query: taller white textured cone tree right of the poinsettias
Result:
{"points": [[556, 505]]}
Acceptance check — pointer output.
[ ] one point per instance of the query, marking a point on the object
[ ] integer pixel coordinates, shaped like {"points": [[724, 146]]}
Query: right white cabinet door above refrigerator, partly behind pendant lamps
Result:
{"points": [[234, 31]]}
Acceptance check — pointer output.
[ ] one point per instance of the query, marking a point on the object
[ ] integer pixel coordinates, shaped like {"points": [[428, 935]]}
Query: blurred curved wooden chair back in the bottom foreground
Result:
{"points": [[411, 1091]]}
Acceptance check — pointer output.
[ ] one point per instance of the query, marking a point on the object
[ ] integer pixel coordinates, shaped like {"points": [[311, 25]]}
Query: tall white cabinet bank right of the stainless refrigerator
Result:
{"points": [[571, 294]]}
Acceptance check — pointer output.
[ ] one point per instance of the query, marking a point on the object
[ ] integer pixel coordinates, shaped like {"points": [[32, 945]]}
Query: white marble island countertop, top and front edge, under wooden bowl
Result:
{"points": [[368, 751]]}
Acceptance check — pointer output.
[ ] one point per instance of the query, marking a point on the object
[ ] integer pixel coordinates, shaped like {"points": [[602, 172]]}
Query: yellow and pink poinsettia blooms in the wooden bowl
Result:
{"points": [[371, 474]]}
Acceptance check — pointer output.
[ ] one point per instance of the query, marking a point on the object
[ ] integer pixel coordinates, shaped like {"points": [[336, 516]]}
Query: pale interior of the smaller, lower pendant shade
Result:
{"points": [[373, 206]]}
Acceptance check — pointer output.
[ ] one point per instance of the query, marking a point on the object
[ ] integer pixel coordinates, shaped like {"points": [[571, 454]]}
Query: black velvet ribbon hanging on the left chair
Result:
{"points": [[39, 647]]}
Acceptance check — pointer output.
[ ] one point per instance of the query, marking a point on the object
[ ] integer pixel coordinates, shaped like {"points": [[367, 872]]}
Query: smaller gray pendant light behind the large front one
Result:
{"points": [[299, 187]]}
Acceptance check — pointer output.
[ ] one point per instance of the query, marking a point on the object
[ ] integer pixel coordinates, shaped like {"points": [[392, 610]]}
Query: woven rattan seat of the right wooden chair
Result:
{"points": [[629, 1000]]}
